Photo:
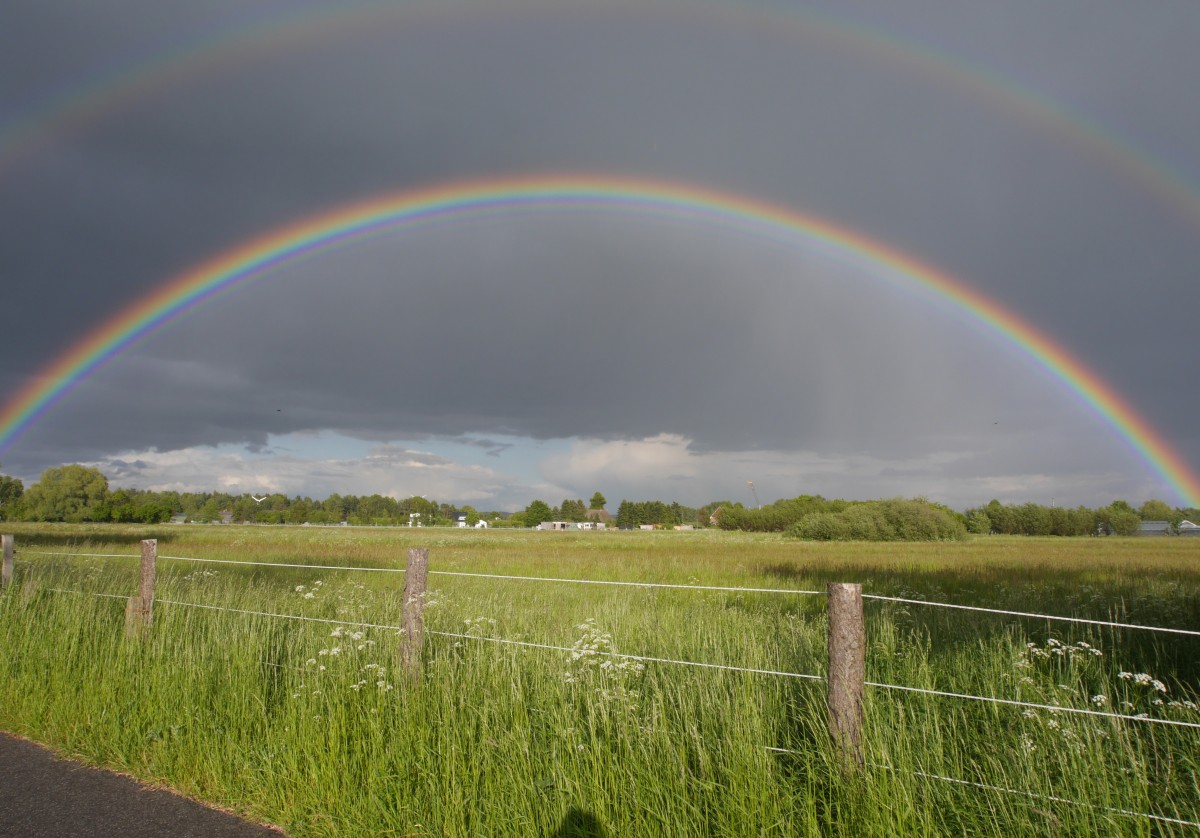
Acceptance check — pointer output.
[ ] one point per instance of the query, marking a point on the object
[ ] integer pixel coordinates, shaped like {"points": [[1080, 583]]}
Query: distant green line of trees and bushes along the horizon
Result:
{"points": [[80, 494]]}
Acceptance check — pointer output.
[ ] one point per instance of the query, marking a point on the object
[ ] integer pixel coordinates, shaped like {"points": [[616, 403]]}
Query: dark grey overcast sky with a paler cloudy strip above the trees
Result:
{"points": [[1047, 155]]}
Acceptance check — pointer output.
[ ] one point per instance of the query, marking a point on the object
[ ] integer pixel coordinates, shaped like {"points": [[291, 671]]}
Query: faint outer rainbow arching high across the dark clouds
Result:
{"points": [[257, 35]]}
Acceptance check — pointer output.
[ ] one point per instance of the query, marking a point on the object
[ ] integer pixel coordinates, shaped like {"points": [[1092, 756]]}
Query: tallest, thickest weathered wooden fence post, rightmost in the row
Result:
{"points": [[848, 672]]}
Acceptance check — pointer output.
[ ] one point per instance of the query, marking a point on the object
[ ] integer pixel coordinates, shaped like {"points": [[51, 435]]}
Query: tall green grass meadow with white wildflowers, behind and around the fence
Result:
{"points": [[314, 727]]}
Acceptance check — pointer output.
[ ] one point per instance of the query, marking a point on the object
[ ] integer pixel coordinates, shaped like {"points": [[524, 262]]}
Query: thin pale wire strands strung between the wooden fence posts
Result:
{"points": [[650, 660]]}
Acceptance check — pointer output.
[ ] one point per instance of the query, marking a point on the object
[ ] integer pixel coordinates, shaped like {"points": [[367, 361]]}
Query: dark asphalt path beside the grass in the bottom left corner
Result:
{"points": [[46, 797]]}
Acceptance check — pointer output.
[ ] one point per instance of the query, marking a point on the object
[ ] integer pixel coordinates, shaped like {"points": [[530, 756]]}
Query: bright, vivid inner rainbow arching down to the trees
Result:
{"points": [[358, 222]]}
